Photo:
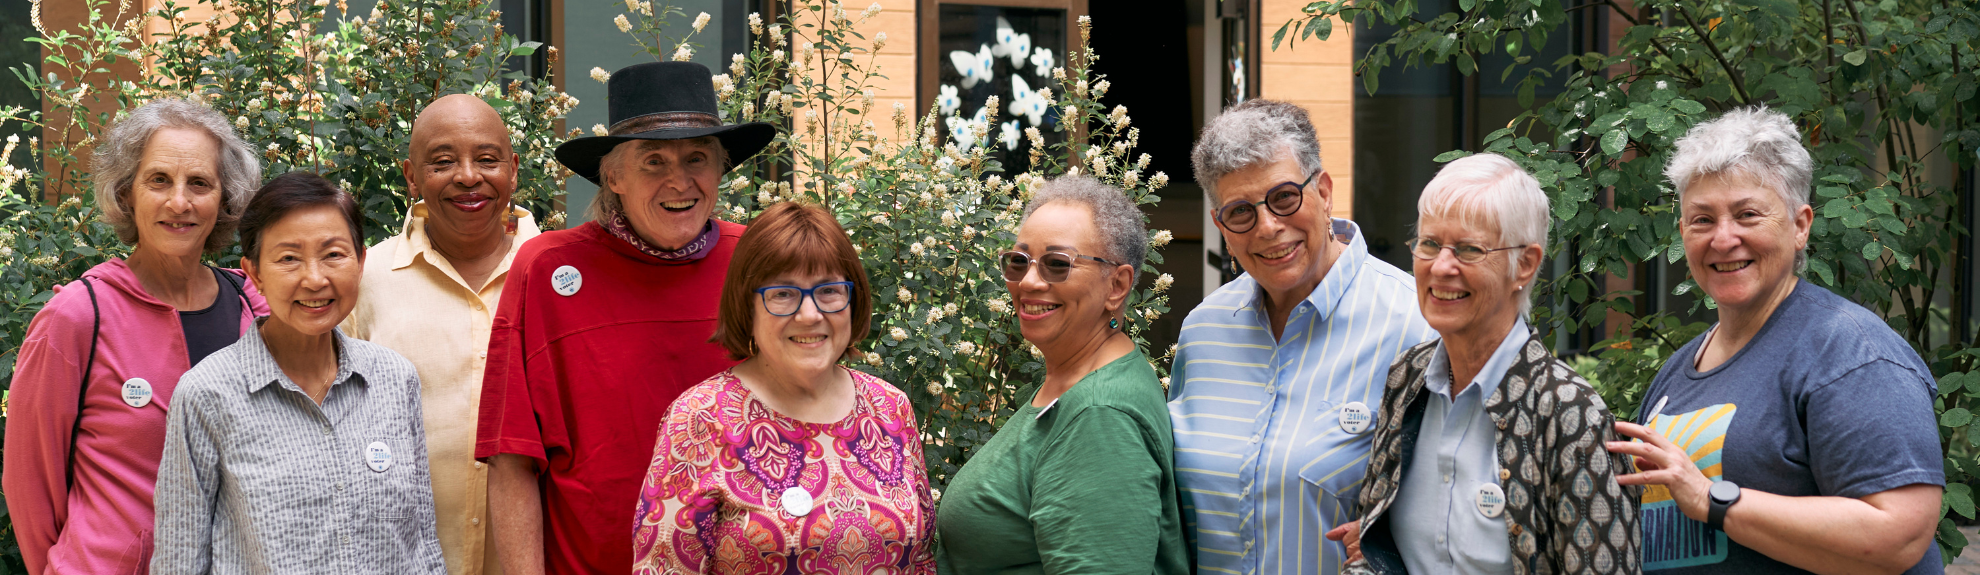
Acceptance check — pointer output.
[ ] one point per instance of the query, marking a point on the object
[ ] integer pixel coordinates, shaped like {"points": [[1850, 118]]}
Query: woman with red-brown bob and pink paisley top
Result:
{"points": [[789, 463]]}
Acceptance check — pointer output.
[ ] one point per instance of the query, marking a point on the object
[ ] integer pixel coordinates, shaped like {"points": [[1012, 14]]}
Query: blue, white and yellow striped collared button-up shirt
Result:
{"points": [[1262, 459]]}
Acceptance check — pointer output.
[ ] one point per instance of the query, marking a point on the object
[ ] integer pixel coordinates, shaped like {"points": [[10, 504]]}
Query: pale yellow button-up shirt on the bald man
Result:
{"points": [[417, 304]]}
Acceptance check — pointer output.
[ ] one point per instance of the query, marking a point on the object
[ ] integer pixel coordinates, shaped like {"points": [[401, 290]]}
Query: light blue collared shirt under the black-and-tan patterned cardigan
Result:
{"points": [[1436, 517]]}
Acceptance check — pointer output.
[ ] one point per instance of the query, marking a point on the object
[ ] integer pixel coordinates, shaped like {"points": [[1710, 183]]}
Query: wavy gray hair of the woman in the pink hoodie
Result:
{"points": [[118, 158]]}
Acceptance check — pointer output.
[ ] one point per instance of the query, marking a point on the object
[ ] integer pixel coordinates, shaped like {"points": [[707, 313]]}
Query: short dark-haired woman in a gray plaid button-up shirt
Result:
{"points": [[298, 449]]}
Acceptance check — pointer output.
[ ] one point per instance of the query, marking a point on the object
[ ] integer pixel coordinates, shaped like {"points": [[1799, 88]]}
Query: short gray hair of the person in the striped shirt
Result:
{"points": [[1252, 134]]}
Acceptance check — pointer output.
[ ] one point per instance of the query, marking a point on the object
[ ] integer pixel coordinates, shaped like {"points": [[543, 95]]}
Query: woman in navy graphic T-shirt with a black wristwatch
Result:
{"points": [[1799, 431]]}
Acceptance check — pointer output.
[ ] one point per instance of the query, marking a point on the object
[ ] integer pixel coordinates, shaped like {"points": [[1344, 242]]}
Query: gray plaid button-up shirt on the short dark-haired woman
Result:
{"points": [[260, 479]]}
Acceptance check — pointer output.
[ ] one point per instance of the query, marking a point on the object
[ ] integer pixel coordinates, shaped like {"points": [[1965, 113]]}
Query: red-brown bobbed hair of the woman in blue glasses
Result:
{"points": [[789, 237]]}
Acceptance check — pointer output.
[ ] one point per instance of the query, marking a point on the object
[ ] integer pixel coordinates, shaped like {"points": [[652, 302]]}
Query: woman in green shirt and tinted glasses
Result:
{"points": [[1082, 477]]}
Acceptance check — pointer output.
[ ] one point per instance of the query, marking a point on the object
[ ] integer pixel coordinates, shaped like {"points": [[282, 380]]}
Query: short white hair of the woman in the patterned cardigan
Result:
{"points": [[1494, 191]]}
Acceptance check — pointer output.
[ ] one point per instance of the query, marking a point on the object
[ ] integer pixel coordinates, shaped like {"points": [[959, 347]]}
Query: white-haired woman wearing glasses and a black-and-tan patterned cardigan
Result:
{"points": [[1488, 451]]}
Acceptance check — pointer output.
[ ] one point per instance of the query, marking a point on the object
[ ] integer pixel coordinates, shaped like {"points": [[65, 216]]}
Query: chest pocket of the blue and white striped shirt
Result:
{"points": [[1336, 459]]}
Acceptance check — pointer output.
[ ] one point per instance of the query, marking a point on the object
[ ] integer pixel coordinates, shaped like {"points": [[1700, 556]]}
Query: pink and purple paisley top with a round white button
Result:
{"points": [[714, 497]]}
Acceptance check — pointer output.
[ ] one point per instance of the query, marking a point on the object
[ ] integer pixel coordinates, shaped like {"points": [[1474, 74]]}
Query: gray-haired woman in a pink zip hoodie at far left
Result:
{"points": [[100, 362]]}
